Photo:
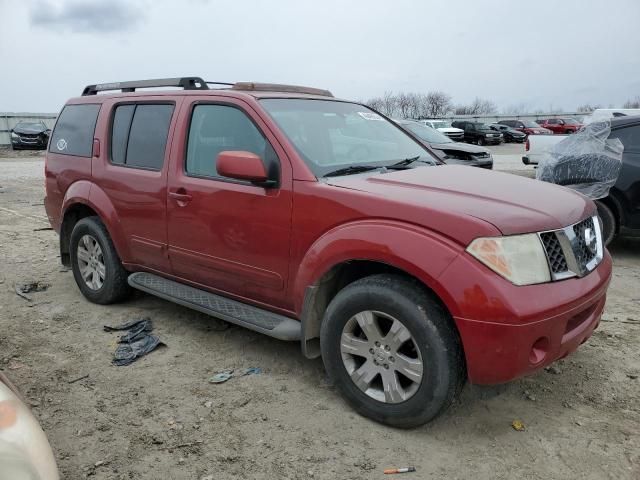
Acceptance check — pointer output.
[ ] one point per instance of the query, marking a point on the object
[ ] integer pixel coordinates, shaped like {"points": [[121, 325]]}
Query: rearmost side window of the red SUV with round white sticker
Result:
{"points": [[74, 130]]}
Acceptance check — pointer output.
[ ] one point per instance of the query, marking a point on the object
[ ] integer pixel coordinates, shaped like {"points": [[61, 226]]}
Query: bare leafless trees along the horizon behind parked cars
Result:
{"points": [[439, 104]]}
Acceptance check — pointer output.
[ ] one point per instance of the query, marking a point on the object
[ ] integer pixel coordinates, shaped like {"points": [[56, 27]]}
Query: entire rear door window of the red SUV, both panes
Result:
{"points": [[139, 135]]}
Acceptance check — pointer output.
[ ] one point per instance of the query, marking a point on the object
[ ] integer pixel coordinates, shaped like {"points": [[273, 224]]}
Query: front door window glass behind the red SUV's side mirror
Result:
{"points": [[216, 128]]}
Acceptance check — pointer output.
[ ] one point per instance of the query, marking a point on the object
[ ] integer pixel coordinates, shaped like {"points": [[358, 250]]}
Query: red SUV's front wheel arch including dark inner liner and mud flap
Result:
{"points": [[338, 259]]}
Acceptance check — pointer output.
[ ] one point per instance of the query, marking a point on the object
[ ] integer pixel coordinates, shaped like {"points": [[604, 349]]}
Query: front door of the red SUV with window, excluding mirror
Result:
{"points": [[224, 234]]}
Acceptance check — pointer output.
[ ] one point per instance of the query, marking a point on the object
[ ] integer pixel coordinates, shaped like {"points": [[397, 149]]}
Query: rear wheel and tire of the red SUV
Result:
{"points": [[112, 286]]}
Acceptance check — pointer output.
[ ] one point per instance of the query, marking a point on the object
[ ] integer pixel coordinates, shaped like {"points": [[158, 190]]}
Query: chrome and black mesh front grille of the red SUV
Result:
{"points": [[573, 251]]}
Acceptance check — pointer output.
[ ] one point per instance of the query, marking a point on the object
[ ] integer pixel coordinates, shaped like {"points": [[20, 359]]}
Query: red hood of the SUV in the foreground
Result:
{"points": [[449, 194]]}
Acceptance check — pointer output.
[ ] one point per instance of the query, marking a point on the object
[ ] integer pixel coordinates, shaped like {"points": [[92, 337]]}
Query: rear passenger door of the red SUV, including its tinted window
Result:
{"points": [[133, 175]]}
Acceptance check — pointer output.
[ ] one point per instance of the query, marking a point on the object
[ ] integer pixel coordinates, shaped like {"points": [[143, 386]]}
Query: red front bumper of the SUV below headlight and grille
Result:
{"points": [[509, 331]]}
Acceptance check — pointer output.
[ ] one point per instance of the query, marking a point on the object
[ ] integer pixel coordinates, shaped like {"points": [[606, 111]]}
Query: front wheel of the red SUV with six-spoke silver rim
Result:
{"points": [[433, 342]]}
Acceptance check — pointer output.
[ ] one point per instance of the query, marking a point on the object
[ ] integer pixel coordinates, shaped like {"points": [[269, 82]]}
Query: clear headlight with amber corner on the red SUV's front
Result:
{"points": [[519, 258]]}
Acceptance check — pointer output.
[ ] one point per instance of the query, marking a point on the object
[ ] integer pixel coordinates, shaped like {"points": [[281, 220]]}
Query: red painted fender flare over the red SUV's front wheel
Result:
{"points": [[412, 249]]}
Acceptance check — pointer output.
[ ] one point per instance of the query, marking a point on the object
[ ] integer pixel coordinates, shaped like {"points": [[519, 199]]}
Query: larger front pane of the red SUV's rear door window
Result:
{"points": [[148, 136]]}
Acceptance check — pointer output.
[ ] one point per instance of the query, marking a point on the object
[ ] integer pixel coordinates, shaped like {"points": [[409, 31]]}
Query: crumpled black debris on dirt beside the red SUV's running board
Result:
{"points": [[135, 343]]}
